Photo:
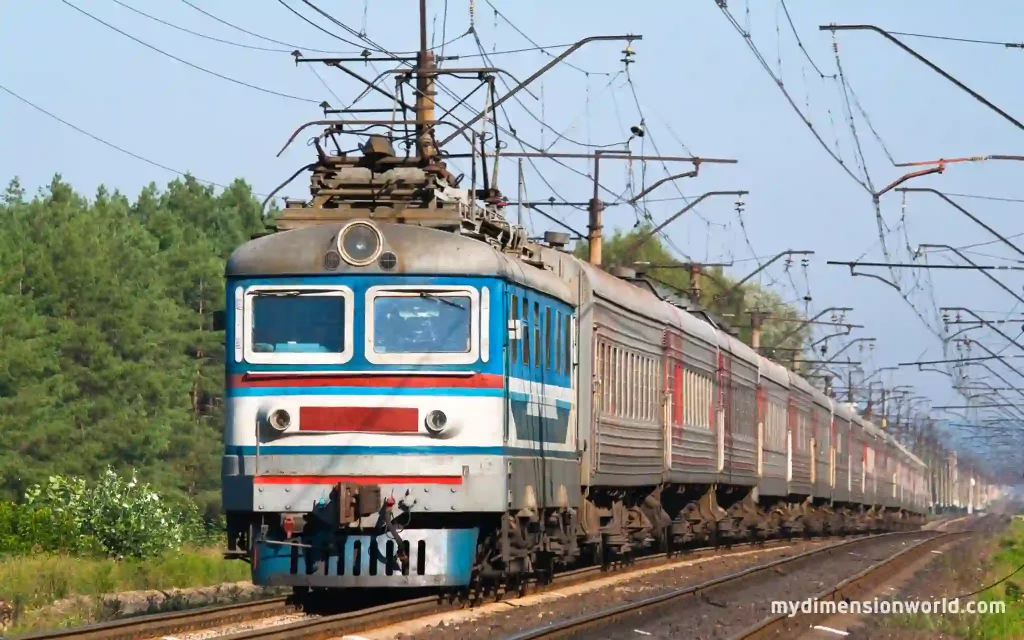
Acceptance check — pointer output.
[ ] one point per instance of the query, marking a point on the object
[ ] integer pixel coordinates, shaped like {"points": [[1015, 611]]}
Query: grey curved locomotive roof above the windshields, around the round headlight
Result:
{"points": [[419, 250]]}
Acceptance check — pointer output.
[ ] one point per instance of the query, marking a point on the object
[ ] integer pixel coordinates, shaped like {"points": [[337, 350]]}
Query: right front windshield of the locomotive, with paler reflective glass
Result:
{"points": [[422, 323]]}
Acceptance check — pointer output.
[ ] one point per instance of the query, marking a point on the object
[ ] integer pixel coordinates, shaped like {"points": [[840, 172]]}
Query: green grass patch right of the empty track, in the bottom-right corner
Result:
{"points": [[1003, 557]]}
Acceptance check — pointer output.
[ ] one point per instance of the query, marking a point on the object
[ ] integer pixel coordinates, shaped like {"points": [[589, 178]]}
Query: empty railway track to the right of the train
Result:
{"points": [[600, 623]]}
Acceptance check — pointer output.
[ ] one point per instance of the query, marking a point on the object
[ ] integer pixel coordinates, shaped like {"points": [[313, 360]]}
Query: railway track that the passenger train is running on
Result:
{"points": [[161, 625]]}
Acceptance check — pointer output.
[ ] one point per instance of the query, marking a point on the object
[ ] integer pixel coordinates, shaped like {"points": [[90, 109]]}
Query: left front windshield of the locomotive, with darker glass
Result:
{"points": [[298, 323]]}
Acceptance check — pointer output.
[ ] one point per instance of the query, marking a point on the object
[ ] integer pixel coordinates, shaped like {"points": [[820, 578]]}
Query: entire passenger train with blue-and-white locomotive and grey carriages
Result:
{"points": [[422, 397]]}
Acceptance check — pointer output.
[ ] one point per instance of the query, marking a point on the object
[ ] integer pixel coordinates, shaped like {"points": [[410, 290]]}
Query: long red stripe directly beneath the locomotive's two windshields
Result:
{"points": [[276, 379]]}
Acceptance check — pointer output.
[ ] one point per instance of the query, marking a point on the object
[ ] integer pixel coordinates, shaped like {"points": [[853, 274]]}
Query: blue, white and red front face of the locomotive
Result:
{"points": [[365, 428]]}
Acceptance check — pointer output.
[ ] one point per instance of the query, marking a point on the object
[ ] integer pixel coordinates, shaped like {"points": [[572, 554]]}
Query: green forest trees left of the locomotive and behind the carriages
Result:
{"points": [[108, 354]]}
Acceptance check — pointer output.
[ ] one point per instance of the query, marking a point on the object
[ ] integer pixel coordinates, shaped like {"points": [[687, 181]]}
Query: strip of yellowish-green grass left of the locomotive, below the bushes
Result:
{"points": [[34, 584]]}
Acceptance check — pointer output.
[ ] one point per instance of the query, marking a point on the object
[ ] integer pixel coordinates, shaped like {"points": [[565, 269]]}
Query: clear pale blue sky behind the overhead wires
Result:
{"points": [[697, 82]]}
